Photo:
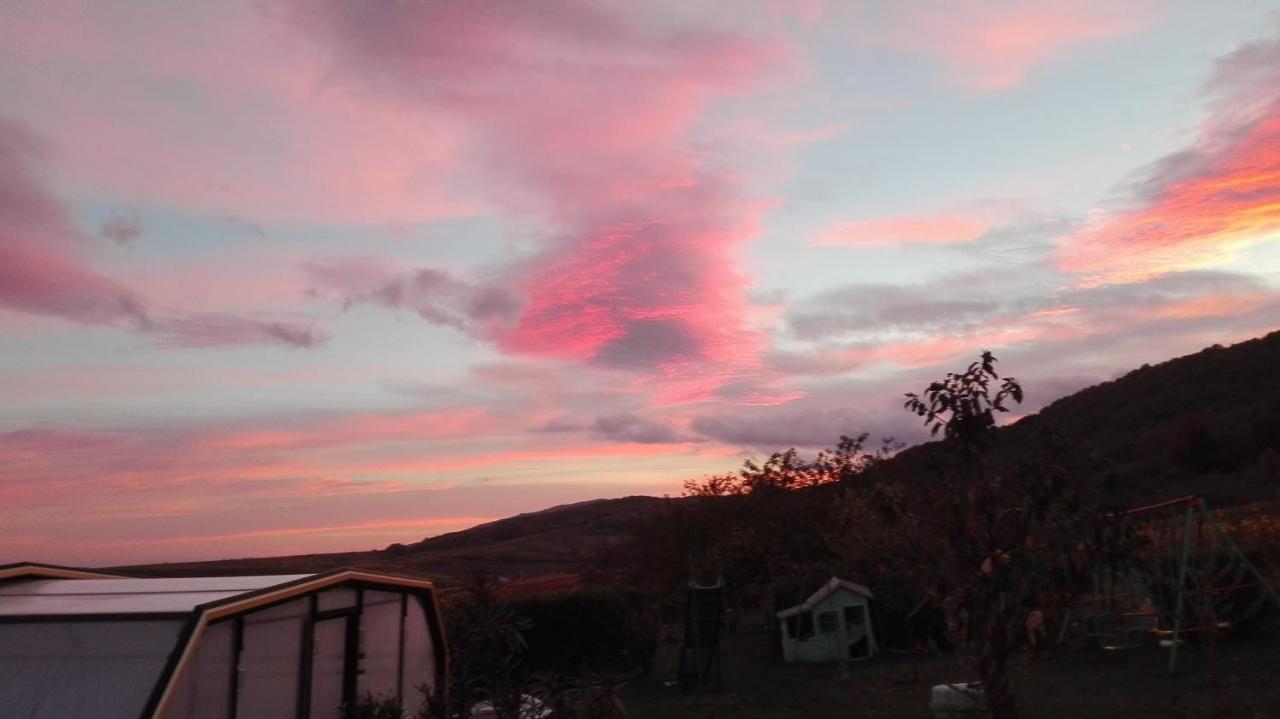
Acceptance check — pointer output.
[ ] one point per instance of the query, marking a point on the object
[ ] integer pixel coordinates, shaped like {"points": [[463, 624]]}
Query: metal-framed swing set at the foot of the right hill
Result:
{"points": [[1190, 578]]}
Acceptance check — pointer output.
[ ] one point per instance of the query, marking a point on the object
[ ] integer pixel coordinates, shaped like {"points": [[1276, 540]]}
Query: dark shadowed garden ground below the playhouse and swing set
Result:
{"points": [[1242, 681]]}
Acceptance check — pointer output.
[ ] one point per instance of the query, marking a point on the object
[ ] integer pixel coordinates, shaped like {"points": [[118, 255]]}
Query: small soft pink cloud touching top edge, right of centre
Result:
{"points": [[990, 45]]}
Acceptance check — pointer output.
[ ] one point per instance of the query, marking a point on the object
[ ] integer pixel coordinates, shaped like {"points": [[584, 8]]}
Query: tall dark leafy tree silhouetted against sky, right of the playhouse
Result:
{"points": [[1014, 538]]}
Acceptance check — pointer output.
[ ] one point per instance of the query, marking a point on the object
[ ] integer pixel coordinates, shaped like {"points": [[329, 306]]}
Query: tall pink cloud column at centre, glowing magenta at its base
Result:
{"points": [[583, 118]]}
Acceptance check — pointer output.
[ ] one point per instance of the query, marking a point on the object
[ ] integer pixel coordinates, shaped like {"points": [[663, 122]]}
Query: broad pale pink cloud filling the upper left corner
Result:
{"points": [[221, 109]]}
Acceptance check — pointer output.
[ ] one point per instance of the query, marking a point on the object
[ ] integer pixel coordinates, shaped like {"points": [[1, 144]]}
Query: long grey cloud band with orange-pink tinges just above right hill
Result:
{"points": [[1057, 329]]}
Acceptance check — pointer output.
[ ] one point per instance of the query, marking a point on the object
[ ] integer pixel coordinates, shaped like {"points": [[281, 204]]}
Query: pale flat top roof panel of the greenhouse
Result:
{"points": [[126, 596]]}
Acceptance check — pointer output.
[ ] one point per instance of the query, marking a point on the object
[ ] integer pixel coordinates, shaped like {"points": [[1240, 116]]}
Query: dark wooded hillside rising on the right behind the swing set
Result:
{"points": [[1205, 424]]}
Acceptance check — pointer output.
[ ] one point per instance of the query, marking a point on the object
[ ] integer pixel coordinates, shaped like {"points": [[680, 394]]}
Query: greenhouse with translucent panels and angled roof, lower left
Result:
{"points": [[81, 644]]}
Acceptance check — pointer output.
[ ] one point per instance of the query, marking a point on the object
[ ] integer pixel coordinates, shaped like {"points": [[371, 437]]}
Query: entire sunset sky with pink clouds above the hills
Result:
{"points": [[294, 277]]}
